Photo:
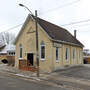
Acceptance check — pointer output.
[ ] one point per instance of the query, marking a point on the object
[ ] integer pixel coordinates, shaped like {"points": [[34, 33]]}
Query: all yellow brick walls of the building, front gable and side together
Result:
{"points": [[28, 41]]}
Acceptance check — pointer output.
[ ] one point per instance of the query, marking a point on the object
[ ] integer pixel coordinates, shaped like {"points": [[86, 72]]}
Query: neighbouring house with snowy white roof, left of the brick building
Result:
{"points": [[8, 53]]}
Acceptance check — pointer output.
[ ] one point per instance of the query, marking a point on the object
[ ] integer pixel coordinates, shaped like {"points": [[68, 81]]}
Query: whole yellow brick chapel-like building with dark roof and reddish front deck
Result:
{"points": [[57, 47]]}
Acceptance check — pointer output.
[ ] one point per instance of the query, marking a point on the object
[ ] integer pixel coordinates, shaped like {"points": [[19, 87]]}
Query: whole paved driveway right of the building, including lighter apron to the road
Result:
{"points": [[75, 78]]}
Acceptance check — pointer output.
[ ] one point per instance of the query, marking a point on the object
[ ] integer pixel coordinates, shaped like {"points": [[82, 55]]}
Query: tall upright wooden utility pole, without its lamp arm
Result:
{"points": [[37, 54]]}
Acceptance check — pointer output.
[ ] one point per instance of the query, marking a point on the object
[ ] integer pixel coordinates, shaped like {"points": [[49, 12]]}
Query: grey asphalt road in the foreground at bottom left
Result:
{"points": [[10, 82]]}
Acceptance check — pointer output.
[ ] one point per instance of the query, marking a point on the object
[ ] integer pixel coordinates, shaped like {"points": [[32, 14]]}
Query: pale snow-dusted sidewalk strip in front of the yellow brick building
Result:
{"points": [[27, 74]]}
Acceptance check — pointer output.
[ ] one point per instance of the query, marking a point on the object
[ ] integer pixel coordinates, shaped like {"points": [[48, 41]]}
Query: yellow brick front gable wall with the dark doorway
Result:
{"points": [[28, 41]]}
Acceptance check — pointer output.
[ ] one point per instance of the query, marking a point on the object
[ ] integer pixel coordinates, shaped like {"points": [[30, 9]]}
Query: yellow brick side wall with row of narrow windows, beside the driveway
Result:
{"points": [[78, 59]]}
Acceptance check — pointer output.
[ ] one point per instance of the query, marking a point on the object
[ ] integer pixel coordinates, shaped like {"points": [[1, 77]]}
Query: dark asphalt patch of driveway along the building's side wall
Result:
{"points": [[82, 72]]}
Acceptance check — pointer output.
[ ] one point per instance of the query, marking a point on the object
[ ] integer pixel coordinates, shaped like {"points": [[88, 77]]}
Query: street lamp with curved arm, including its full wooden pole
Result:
{"points": [[35, 17]]}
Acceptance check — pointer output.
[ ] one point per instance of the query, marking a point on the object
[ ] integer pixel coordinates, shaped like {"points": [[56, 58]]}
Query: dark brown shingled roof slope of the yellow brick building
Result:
{"points": [[58, 33]]}
